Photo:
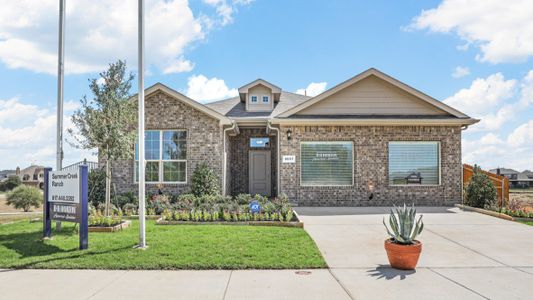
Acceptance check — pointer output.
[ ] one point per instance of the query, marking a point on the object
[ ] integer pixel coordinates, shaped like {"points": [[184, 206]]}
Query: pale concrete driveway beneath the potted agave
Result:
{"points": [[465, 255]]}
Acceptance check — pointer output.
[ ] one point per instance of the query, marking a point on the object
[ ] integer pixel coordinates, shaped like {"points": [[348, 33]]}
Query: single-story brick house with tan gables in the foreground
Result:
{"points": [[370, 140]]}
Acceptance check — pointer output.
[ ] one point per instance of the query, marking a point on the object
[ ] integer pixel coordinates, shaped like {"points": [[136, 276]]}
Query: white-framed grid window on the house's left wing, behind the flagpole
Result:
{"points": [[166, 156]]}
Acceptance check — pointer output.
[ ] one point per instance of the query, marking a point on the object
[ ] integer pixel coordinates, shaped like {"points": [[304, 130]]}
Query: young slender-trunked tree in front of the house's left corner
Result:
{"points": [[107, 122]]}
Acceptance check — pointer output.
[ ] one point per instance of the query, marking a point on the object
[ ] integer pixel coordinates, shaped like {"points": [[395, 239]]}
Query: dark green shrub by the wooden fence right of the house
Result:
{"points": [[480, 191]]}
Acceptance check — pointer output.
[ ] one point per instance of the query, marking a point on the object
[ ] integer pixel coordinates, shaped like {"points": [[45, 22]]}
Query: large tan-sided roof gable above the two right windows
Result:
{"points": [[355, 96]]}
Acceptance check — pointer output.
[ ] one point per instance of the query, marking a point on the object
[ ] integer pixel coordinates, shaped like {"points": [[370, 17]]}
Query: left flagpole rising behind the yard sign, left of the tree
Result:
{"points": [[60, 80]]}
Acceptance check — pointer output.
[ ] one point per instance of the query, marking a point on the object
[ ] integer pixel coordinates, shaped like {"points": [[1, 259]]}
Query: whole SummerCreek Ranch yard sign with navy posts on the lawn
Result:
{"points": [[65, 199]]}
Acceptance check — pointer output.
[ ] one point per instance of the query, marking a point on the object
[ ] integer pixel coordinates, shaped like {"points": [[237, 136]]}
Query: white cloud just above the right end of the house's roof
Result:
{"points": [[484, 95]]}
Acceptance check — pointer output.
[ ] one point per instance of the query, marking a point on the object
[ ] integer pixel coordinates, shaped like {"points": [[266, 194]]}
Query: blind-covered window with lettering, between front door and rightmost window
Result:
{"points": [[326, 163]]}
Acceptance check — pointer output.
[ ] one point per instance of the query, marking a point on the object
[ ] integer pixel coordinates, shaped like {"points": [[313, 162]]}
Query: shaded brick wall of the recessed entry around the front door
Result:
{"points": [[239, 153]]}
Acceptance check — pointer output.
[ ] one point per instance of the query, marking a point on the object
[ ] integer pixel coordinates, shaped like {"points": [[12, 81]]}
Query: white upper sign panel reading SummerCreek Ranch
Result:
{"points": [[64, 186]]}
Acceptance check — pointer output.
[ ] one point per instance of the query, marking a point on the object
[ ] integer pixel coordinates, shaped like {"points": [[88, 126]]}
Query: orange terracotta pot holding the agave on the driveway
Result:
{"points": [[403, 257]]}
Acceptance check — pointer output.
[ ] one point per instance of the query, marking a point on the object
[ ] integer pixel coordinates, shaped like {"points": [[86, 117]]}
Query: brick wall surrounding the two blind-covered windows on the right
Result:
{"points": [[371, 164]]}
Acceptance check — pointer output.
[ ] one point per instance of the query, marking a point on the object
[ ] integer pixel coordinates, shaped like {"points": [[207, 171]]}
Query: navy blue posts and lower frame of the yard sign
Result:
{"points": [[81, 208]]}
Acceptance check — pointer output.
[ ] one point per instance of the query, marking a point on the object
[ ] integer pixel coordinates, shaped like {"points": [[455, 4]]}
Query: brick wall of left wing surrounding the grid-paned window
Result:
{"points": [[204, 142]]}
